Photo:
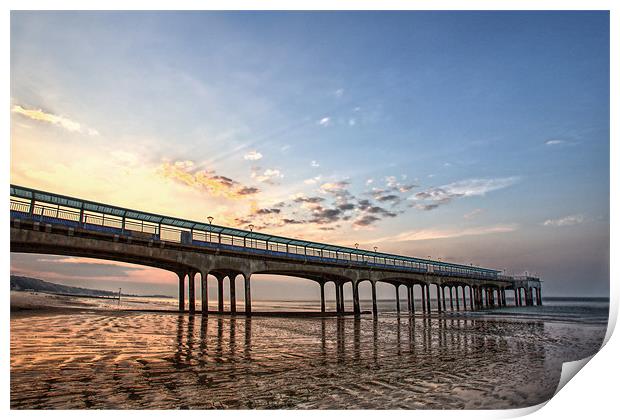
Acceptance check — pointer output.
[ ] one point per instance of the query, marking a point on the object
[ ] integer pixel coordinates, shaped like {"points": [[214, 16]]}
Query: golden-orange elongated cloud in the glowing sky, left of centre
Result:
{"points": [[185, 173]]}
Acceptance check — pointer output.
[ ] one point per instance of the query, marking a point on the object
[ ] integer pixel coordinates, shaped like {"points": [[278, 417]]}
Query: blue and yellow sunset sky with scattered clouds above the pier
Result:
{"points": [[474, 137]]}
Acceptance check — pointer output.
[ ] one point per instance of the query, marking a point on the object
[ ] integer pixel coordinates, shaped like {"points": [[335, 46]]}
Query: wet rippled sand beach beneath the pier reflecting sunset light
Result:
{"points": [[105, 359]]}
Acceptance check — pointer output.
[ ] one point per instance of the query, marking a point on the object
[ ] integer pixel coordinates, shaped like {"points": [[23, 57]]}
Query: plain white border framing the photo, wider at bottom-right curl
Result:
{"points": [[593, 394]]}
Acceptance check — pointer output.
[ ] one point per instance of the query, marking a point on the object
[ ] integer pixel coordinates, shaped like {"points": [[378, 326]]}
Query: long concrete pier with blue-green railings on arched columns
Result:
{"points": [[48, 223]]}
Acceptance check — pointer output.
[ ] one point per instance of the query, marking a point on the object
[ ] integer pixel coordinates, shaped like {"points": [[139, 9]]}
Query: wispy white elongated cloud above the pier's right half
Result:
{"points": [[435, 196]]}
